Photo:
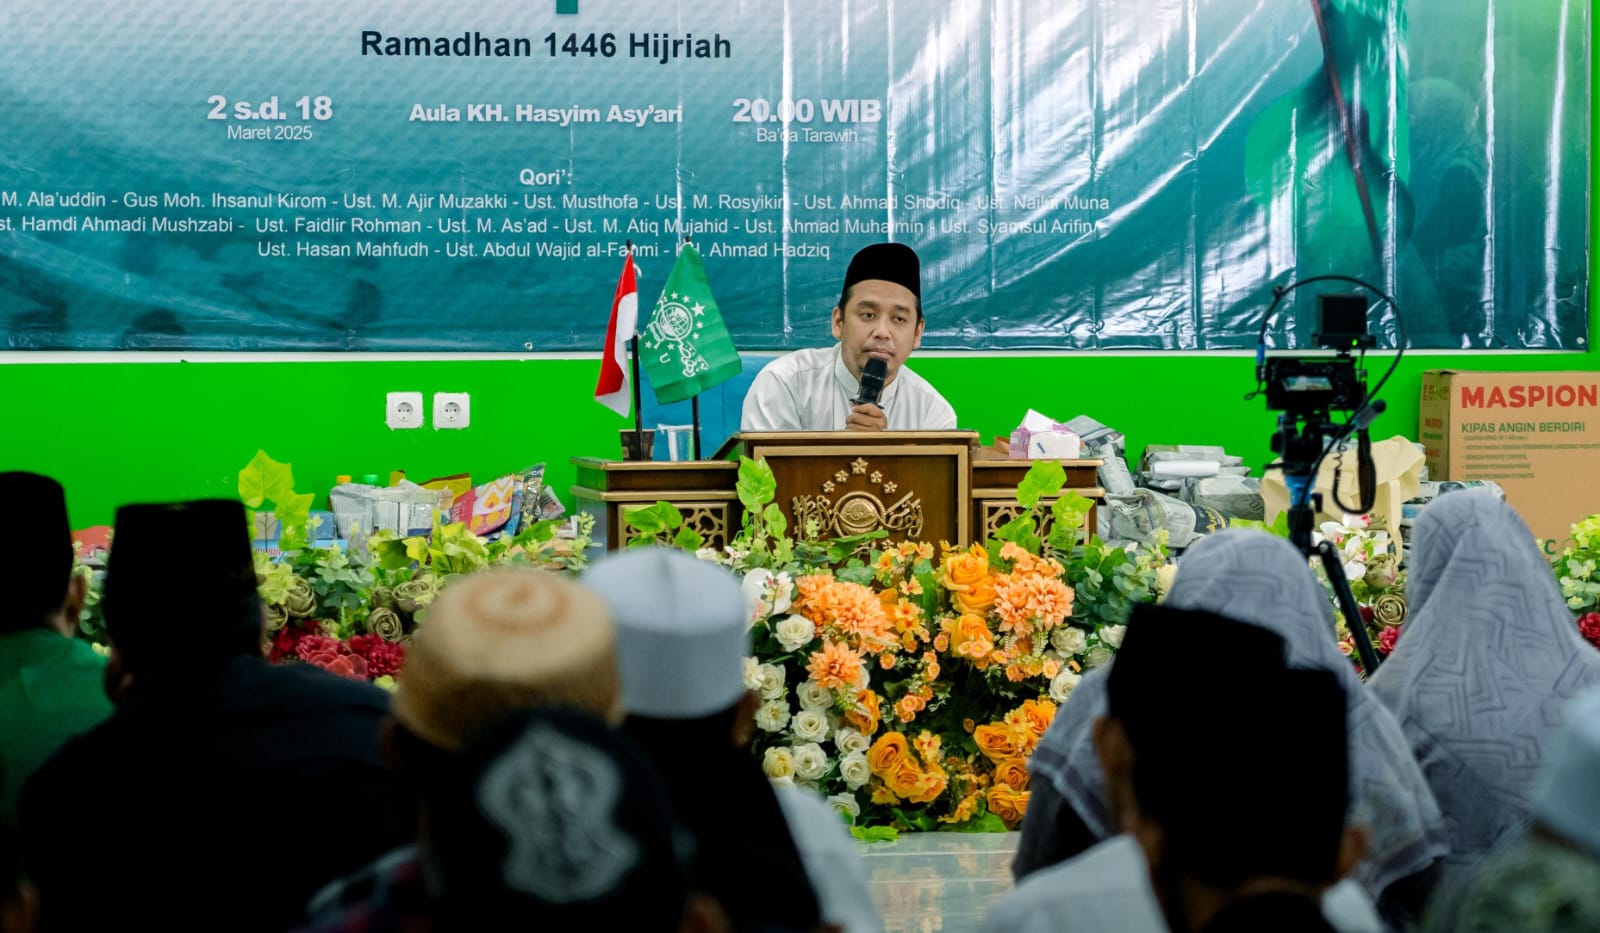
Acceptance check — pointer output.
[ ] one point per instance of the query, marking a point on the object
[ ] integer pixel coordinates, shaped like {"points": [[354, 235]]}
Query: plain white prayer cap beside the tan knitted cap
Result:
{"points": [[681, 631]]}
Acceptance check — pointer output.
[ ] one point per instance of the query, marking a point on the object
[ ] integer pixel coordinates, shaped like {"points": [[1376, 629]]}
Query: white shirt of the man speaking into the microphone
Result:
{"points": [[812, 391]]}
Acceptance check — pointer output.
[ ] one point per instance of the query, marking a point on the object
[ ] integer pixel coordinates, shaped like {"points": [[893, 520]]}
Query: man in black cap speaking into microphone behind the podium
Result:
{"points": [[879, 324]]}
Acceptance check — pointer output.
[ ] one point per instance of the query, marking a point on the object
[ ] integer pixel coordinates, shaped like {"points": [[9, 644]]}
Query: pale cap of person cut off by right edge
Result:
{"points": [[1566, 796]]}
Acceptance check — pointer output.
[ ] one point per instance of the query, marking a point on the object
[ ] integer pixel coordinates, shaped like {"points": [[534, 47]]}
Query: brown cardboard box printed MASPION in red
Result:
{"points": [[1535, 434]]}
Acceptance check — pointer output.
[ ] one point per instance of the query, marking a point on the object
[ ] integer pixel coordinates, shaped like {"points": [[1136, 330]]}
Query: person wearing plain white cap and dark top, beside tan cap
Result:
{"points": [[682, 639]]}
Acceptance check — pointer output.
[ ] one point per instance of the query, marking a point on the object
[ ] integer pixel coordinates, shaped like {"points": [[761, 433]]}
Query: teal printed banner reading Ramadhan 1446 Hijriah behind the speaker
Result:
{"points": [[1076, 175]]}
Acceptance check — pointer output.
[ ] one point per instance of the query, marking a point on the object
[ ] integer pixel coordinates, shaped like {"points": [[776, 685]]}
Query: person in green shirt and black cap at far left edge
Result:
{"points": [[50, 683]]}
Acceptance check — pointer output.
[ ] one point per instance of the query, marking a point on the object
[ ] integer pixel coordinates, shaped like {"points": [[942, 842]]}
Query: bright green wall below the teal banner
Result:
{"points": [[122, 433]]}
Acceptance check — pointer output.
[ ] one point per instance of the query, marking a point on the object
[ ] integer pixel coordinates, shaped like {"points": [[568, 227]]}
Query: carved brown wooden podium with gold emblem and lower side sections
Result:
{"points": [[919, 486]]}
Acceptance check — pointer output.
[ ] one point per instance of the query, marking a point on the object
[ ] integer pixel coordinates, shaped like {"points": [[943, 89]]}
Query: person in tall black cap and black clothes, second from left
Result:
{"points": [[223, 791]]}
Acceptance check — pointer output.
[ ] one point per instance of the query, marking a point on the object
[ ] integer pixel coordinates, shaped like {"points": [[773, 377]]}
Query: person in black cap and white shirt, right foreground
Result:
{"points": [[1148, 745]]}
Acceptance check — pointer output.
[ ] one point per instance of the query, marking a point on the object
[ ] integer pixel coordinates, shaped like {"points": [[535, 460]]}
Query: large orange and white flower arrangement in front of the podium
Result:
{"points": [[910, 684]]}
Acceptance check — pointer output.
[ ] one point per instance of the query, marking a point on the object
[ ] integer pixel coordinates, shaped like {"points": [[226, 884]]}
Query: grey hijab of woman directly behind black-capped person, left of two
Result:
{"points": [[1265, 582]]}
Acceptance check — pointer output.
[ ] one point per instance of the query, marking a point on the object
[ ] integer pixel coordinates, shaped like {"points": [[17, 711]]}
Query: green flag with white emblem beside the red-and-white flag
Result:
{"points": [[687, 348]]}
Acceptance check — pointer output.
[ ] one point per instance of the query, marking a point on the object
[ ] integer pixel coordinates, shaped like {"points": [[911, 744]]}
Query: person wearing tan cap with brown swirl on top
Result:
{"points": [[495, 644]]}
